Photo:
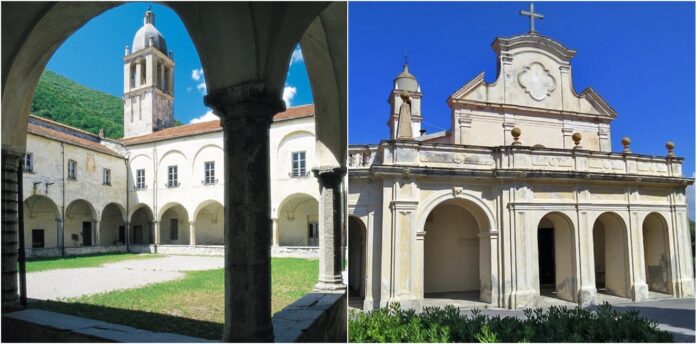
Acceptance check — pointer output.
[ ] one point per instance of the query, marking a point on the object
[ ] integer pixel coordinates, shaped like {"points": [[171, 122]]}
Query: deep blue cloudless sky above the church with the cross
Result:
{"points": [[638, 56]]}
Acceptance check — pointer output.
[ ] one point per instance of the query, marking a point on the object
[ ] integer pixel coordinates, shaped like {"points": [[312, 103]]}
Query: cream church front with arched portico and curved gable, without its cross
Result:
{"points": [[523, 198]]}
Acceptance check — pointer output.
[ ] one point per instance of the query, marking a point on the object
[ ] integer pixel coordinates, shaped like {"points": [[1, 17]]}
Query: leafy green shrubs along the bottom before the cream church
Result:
{"points": [[556, 324]]}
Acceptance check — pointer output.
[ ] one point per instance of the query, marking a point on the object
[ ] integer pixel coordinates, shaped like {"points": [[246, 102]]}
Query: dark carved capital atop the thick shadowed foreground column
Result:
{"points": [[249, 100]]}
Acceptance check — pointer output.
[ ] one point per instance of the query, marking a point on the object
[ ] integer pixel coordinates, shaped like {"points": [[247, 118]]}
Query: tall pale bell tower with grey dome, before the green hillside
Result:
{"points": [[148, 82]]}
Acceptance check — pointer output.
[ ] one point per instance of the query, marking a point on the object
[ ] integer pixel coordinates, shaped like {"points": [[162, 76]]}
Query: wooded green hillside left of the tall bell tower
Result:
{"points": [[63, 100]]}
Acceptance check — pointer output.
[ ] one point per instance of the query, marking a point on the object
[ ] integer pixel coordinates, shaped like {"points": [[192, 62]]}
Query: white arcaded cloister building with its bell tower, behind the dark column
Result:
{"points": [[160, 188]]}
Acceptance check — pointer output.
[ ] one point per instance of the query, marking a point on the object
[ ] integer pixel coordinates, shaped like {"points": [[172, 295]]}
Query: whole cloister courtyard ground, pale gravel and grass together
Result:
{"points": [[160, 293]]}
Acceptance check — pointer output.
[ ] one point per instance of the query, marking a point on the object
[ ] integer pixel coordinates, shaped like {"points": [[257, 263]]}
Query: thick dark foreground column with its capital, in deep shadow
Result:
{"points": [[246, 112]]}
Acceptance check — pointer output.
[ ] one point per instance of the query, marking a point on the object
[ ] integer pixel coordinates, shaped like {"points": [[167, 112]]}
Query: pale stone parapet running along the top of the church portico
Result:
{"points": [[511, 158]]}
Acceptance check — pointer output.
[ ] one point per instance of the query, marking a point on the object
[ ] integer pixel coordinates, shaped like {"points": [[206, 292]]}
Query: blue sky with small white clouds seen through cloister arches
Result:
{"points": [[93, 56]]}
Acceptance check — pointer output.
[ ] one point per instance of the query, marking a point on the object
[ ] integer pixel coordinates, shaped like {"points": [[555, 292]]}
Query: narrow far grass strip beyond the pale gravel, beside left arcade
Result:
{"points": [[86, 261]]}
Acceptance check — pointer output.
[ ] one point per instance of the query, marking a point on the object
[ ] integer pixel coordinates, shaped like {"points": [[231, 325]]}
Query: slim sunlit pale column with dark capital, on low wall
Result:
{"points": [[330, 223]]}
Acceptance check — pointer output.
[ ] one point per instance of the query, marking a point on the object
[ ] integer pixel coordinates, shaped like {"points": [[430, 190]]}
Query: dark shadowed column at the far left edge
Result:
{"points": [[10, 228]]}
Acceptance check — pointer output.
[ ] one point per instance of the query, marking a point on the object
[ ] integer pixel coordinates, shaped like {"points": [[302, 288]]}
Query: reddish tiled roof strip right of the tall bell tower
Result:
{"points": [[211, 126]]}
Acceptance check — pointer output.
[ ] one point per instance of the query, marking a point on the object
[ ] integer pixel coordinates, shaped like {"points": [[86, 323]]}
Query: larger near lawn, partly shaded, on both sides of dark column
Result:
{"points": [[193, 305]]}
